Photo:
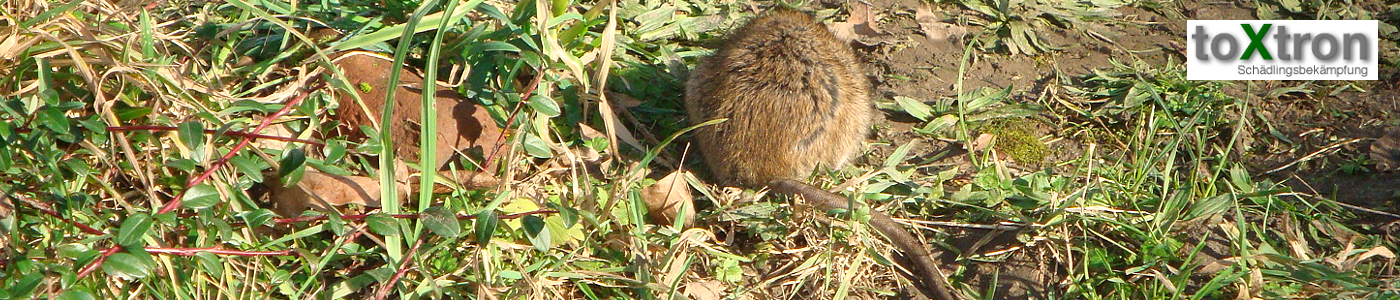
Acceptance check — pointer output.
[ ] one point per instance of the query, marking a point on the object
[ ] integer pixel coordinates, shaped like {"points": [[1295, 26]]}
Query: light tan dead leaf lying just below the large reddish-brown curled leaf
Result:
{"points": [[324, 193]]}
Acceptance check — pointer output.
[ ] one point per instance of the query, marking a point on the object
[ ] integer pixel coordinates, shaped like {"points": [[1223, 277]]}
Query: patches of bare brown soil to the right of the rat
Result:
{"points": [[909, 64]]}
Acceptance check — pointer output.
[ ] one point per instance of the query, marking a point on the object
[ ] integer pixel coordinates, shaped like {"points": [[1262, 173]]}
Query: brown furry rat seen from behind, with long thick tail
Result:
{"points": [[796, 99]]}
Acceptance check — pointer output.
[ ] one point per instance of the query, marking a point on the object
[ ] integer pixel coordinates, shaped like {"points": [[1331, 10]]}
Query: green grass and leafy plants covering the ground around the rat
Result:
{"points": [[124, 172]]}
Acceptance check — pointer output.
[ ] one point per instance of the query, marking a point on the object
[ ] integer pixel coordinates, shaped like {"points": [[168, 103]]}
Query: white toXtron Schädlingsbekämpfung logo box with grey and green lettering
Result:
{"points": [[1282, 50]]}
